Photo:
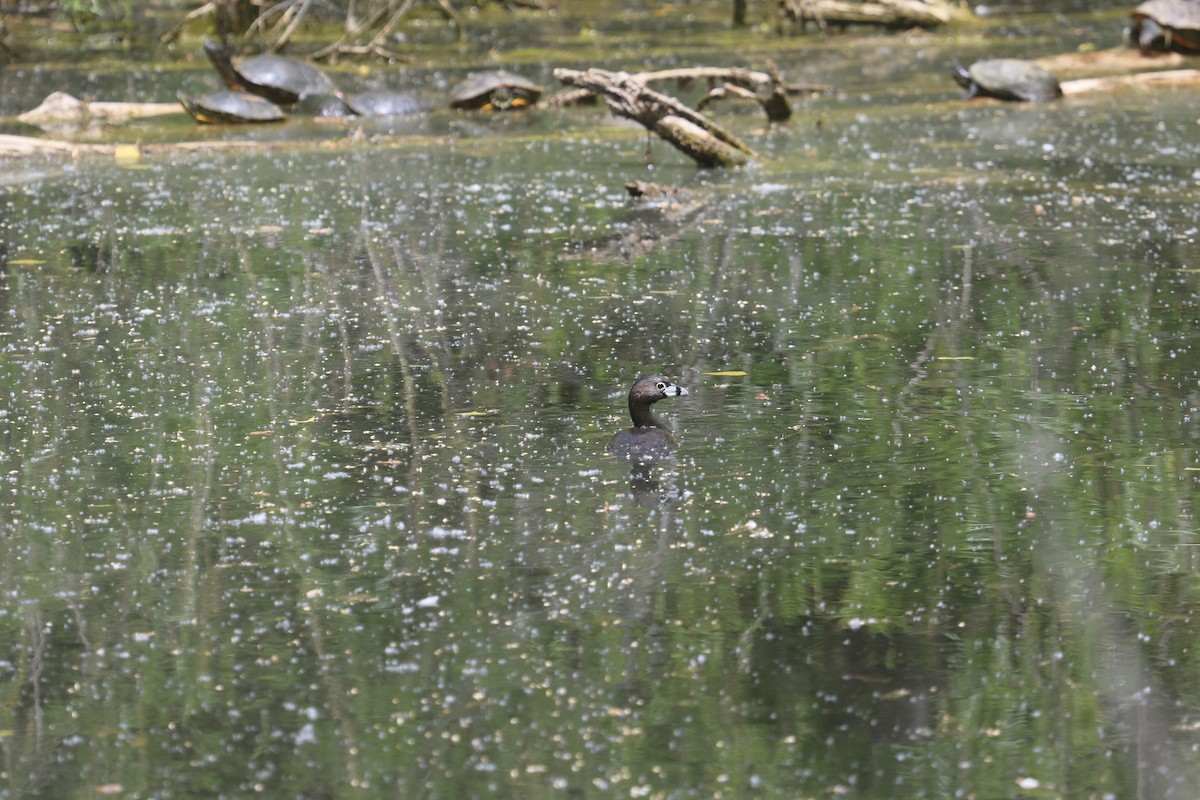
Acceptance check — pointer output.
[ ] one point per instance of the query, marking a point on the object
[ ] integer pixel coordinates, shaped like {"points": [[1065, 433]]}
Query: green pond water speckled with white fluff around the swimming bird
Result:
{"points": [[304, 485]]}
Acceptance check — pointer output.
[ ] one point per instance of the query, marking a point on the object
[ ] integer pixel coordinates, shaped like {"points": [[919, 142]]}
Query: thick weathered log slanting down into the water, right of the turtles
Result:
{"points": [[689, 131]]}
